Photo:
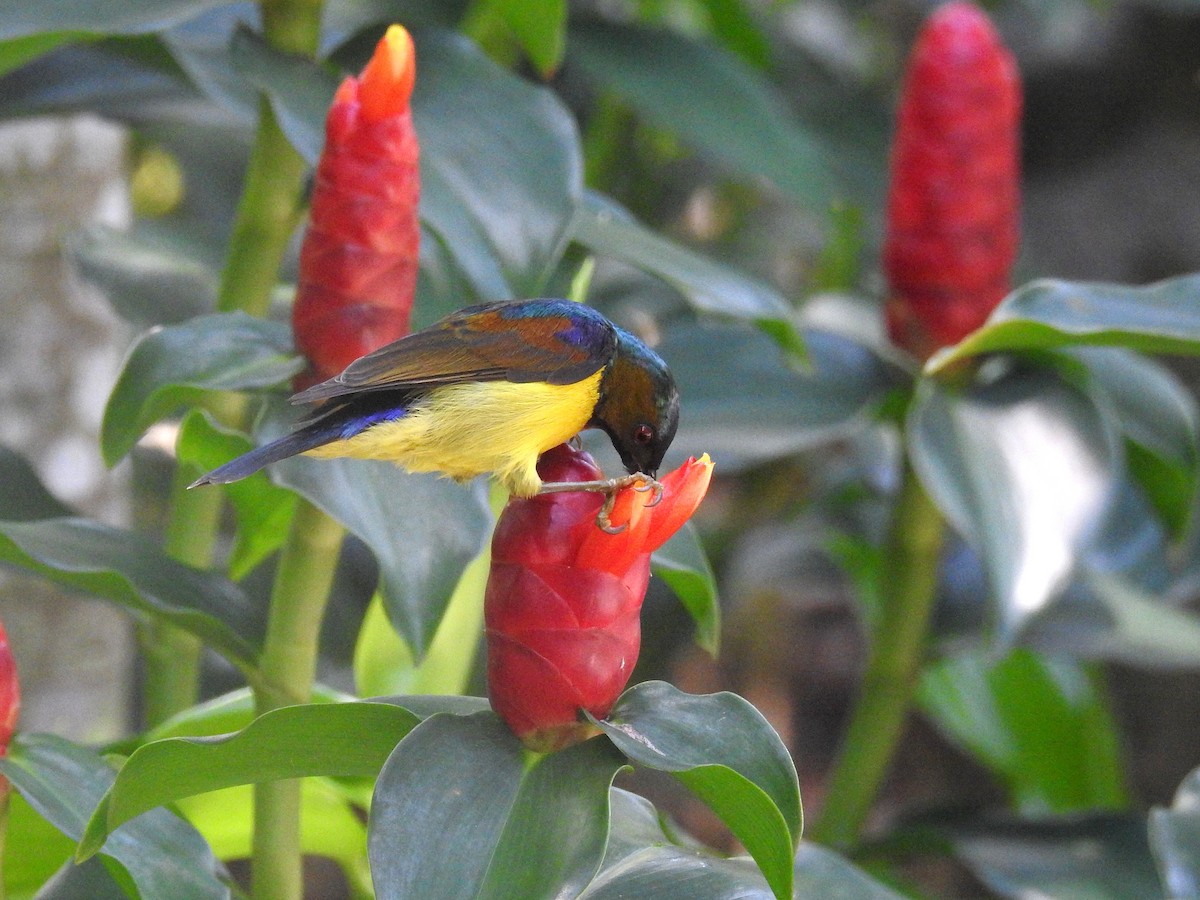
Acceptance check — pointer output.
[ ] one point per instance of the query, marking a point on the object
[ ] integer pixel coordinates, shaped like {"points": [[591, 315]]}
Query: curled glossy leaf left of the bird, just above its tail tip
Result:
{"points": [[171, 368]]}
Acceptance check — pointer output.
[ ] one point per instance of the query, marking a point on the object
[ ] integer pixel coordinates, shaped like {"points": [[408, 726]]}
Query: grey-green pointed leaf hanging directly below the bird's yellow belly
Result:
{"points": [[423, 530]]}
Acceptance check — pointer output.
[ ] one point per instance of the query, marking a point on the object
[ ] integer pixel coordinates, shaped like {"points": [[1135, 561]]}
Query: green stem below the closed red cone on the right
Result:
{"points": [[908, 592]]}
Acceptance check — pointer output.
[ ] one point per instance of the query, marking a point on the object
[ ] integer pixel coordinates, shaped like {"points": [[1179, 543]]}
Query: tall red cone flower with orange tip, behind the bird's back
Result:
{"points": [[359, 257]]}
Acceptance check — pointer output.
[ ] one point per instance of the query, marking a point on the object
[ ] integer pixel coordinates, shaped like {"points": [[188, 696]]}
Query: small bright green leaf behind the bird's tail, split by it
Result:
{"points": [[263, 511]]}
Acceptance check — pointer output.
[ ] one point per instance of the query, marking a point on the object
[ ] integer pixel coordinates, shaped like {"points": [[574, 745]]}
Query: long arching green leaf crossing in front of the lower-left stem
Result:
{"points": [[293, 742]]}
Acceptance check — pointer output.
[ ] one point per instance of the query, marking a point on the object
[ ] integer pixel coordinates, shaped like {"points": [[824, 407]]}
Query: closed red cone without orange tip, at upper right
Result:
{"points": [[955, 201]]}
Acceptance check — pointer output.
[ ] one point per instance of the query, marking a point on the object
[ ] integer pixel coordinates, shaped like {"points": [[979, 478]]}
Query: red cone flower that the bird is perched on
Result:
{"points": [[565, 597]]}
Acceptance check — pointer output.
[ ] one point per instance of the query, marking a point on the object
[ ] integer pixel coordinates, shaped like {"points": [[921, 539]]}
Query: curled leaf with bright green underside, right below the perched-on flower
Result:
{"points": [[724, 751]]}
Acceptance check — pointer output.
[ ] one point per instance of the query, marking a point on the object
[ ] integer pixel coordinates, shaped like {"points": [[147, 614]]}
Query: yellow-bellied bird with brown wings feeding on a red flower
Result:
{"points": [[489, 389]]}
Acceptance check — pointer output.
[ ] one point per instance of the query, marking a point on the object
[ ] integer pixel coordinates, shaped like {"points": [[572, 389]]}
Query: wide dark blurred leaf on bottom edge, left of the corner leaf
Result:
{"points": [[1101, 859]]}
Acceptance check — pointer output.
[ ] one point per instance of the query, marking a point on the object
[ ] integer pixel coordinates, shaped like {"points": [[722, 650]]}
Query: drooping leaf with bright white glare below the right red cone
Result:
{"points": [[1025, 467]]}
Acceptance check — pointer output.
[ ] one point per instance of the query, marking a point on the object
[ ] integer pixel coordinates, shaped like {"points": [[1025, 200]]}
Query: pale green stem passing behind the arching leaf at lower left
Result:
{"points": [[289, 667]]}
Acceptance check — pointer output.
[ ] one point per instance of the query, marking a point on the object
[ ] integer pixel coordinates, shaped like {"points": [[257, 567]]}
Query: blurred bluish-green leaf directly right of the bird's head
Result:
{"points": [[745, 404]]}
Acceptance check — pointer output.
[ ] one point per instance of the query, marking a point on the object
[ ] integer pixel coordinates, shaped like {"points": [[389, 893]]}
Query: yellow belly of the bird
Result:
{"points": [[467, 430]]}
